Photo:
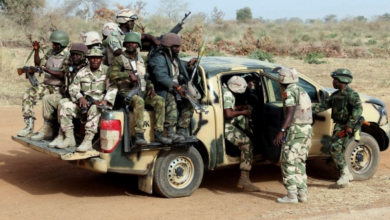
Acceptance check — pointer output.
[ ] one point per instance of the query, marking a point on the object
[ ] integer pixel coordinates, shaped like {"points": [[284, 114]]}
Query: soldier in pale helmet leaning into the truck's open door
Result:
{"points": [[235, 122]]}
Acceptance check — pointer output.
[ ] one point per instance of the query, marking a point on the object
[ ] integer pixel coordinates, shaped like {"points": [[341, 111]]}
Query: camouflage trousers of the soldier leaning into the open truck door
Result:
{"points": [[235, 136]]}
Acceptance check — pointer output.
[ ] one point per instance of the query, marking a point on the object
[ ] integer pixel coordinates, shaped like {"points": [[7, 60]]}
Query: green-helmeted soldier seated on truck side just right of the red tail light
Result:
{"points": [[125, 71]]}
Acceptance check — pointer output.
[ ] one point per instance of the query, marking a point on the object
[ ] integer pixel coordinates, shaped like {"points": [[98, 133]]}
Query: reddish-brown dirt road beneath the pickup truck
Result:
{"points": [[37, 186]]}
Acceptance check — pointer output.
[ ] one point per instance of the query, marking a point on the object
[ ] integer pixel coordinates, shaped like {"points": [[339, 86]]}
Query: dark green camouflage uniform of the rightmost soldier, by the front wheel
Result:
{"points": [[346, 110]]}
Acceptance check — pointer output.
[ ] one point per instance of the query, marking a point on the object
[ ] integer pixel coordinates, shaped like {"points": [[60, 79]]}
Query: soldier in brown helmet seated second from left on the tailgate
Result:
{"points": [[50, 103]]}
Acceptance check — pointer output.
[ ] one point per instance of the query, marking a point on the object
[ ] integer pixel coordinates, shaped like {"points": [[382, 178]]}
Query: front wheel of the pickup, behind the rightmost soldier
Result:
{"points": [[363, 158]]}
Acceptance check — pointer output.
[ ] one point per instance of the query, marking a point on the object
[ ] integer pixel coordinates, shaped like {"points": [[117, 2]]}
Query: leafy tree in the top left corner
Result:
{"points": [[21, 11]]}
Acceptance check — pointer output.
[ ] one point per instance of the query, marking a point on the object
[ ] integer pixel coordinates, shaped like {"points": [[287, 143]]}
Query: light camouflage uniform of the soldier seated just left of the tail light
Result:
{"points": [[92, 84]]}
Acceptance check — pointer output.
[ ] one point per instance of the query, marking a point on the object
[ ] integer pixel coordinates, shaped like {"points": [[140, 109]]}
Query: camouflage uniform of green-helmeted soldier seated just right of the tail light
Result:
{"points": [[119, 73]]}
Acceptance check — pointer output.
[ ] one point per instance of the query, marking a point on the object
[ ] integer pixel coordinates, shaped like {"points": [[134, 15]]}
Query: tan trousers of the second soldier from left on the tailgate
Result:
{"points": [[50, 105]]}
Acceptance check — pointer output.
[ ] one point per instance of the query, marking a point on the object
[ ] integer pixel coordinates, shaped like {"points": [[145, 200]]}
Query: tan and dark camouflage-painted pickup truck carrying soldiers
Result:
{"points": [[177, 170]]}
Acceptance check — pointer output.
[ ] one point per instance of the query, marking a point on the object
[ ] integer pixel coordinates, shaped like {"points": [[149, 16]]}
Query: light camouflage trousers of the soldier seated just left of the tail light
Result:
{"points": [[70, 110]]}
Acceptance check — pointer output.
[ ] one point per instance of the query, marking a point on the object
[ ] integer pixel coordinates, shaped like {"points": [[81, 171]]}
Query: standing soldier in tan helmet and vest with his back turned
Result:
{"points": [[296, 132]]}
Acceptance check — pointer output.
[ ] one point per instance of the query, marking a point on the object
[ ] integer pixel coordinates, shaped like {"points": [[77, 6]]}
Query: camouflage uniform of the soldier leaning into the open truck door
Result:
{"points": [[234, 134]]}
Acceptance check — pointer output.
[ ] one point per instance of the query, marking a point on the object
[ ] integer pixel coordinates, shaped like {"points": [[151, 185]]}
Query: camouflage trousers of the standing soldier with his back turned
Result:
{"points": [[294, 155]]}
